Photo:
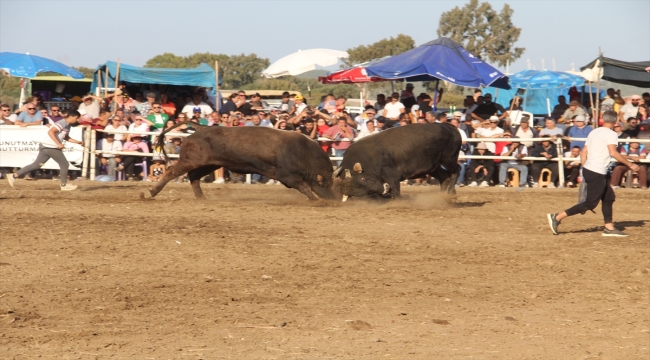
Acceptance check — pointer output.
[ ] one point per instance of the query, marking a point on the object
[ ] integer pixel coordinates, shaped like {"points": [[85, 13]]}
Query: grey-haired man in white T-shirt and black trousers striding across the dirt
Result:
{"points": [[595, 157]]}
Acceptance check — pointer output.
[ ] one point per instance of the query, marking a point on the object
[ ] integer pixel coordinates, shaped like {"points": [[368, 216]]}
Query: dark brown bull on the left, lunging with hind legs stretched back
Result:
{"points": [[288, 157]]}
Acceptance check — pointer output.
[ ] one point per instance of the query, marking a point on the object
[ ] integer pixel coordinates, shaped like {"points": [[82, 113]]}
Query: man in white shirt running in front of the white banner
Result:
{"points": [[51, 147]]}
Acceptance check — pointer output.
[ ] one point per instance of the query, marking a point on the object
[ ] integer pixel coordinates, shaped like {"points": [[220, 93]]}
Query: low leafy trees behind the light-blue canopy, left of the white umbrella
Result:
{"points": [[235, 71]]}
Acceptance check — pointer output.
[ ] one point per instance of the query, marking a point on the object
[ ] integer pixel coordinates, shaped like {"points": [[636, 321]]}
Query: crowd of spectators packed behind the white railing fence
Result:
{"points": [[334, 128]]}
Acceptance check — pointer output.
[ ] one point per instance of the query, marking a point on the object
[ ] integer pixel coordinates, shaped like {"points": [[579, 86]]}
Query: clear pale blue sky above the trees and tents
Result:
{"points": [[87, 33]]}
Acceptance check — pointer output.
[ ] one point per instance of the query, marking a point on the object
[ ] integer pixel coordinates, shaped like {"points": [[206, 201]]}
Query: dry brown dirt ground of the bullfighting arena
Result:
{"points": [[259, 272]]}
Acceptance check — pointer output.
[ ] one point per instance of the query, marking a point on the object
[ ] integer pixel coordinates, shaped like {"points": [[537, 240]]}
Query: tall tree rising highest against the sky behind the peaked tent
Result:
{"points": [[483, 31]]}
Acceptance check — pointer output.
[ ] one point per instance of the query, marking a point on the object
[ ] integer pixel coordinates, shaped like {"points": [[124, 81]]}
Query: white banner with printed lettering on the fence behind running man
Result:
{"points": [[19, 146]]}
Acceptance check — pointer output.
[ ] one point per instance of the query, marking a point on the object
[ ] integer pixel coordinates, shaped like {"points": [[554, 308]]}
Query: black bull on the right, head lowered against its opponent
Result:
{"points": [[376, 164]]}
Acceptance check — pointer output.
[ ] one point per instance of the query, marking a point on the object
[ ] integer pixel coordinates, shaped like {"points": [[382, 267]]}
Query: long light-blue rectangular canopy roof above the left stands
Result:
{"points": [[202, 75]]}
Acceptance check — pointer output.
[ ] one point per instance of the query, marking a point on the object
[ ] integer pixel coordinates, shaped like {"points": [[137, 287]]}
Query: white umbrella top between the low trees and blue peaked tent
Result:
{"points": [[303, 61]]}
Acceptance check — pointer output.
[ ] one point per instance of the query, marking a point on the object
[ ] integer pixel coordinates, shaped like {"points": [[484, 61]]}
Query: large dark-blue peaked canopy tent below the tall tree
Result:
{"points": [[440, 59]]}
